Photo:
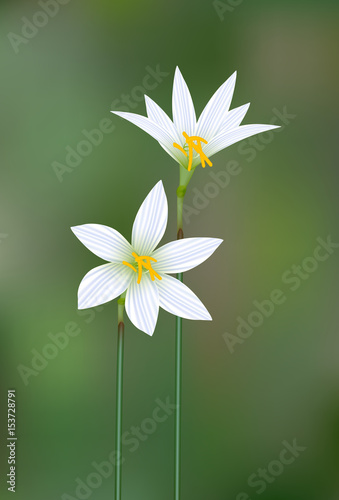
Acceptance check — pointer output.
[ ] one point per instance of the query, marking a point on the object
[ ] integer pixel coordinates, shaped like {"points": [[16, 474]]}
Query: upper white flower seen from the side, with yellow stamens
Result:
{"points": [[187, 140]]}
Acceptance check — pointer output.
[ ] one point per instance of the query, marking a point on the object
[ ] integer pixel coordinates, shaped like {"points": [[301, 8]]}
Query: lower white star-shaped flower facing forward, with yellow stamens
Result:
{"points": [[141, 269]]}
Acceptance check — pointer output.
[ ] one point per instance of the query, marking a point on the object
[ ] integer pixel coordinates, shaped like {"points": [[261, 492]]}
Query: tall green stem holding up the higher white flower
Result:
{"points": [[185, 177]]}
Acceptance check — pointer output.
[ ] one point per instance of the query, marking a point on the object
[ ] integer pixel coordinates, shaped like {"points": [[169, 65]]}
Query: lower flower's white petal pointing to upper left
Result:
{"points": [[104, 242]]}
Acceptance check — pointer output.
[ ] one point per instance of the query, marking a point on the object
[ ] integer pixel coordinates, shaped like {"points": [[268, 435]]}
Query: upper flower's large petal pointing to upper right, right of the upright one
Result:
{"points": [[214, 114]]}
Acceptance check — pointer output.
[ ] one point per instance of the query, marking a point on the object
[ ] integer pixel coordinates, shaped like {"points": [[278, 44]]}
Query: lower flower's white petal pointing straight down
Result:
{"points": [[142, 304]]}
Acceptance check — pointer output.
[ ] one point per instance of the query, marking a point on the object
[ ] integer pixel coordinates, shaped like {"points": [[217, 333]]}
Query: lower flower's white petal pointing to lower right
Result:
{"points": [[178, 299]]}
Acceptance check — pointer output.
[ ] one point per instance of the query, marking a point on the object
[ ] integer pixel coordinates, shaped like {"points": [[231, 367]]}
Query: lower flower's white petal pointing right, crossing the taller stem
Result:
{"points": [[181, 255]]}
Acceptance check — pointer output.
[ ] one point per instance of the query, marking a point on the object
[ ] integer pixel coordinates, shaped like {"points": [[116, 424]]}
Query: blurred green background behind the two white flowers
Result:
{"points": [[281, 383]]}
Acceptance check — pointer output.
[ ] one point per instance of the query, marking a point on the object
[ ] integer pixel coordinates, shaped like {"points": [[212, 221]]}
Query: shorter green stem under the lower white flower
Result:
{"points": [[119, 394]]}
